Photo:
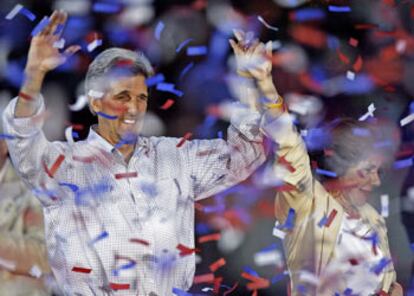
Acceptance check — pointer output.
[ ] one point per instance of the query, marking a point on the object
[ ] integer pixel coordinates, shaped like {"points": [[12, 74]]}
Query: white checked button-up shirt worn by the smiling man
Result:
{"points": [[84, 201]]}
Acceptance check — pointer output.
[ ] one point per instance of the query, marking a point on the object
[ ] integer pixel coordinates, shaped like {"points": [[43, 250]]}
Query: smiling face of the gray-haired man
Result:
{"points": [[126, 99]]}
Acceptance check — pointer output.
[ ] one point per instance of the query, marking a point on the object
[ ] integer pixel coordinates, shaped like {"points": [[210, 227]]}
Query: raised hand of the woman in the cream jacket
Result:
{"points": [[253, 58]]}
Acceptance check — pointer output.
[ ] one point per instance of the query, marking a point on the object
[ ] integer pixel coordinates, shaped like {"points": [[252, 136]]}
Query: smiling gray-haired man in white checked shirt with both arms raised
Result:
{"points": [[117, 205]]}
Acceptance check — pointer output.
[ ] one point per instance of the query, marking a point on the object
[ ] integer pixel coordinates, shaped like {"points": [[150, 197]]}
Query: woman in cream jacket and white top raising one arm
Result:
{"points": [[337, 243]]}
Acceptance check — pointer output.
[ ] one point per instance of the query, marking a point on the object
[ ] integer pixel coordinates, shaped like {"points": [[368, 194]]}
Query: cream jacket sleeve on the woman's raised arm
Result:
{"points": [[291, 152]]}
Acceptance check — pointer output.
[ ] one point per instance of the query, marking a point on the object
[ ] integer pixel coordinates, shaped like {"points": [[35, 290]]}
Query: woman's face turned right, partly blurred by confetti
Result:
{"points": [[364, 177]]}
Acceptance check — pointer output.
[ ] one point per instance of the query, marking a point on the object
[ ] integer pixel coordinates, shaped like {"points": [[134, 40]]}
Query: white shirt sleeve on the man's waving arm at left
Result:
{"points": [[29, 149]]}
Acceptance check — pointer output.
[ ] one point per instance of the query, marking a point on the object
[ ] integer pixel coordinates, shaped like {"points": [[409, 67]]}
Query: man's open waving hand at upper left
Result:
{"points": [[43, 55]]}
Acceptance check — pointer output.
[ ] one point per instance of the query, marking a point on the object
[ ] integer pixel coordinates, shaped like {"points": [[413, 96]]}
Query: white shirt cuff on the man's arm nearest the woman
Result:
{"points": [[246, 121]]}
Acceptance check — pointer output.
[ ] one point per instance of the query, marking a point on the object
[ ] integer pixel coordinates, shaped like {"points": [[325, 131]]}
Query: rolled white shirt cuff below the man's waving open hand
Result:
{"points": [[23, 126]]}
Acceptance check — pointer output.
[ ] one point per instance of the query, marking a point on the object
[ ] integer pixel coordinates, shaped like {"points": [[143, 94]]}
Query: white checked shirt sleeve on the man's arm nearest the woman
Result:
{"points": [[214, 165]]}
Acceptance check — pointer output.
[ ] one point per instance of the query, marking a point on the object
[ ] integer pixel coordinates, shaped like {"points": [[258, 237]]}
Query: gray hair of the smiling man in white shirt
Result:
{"points": [[109, 59]]}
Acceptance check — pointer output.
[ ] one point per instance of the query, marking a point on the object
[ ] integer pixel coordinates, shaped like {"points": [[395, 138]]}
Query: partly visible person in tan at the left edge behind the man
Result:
{"points": [[23, 258]]}
